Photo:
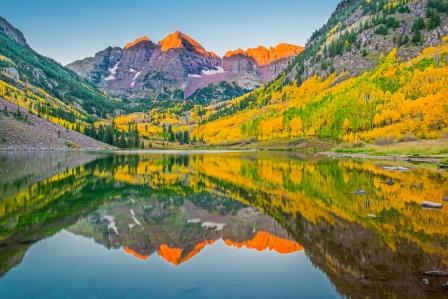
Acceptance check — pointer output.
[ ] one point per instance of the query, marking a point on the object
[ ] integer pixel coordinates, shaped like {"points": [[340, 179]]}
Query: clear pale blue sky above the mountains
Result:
{"points": [[69, 30]]}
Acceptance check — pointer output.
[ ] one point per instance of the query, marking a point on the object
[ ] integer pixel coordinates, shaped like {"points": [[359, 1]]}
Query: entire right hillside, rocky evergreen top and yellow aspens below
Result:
{"points": [[393, 96]]}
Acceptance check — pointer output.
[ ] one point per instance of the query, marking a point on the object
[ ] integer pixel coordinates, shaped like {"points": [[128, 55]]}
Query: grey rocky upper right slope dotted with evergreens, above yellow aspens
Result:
{"points": [[360, 32]]}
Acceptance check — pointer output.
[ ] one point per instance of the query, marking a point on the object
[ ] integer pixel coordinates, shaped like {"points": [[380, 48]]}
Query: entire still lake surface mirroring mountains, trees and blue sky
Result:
{"points": [[218, 225]]}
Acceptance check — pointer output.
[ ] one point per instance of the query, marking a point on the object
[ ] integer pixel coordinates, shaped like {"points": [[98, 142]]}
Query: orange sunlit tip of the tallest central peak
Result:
{"points": [[179, 40]]}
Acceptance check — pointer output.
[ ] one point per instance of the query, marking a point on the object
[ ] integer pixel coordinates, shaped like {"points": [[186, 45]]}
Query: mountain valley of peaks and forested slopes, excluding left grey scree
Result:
{"points": [[375, 73]]}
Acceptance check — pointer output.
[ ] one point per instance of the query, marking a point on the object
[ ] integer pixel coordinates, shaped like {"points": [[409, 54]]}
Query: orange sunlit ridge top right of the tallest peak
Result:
{"points": [[263, 56]]}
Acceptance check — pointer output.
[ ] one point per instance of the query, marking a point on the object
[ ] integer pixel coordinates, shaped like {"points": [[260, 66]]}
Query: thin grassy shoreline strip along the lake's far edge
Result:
{"points": [[429, 151]]}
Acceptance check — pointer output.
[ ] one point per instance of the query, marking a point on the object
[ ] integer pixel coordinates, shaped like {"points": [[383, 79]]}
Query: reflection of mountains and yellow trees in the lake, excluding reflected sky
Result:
{"points": [[375, 244]]}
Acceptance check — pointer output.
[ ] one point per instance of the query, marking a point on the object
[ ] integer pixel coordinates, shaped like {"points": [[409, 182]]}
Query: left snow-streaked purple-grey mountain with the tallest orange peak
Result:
{"points": [[142, 68]]}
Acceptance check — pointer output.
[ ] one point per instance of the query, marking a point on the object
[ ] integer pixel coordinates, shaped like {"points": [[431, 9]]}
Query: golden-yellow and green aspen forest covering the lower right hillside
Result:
{"points": [[396, 99]]}
